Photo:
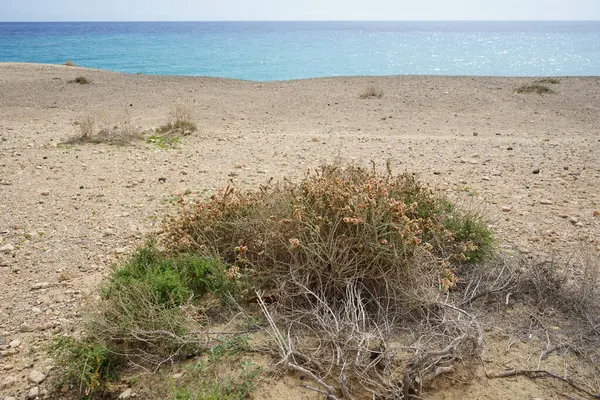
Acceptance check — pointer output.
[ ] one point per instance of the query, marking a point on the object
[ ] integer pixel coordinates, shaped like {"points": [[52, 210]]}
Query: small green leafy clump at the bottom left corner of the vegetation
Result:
{"points": [[86, 364]]}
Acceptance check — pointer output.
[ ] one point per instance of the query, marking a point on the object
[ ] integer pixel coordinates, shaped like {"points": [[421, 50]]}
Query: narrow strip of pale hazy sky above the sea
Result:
{"points": [[200, 10]]}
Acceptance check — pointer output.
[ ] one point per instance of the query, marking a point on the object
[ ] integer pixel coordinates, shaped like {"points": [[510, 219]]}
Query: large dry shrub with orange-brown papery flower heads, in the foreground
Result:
{"points": [[389, 234]]}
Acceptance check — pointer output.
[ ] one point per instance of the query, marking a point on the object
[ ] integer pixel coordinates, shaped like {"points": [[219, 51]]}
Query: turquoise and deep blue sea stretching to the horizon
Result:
{"points": [[268, 51]]}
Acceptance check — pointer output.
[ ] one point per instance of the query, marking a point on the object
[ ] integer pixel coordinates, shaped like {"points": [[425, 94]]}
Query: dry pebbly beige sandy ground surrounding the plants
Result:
{"points": [[530, 162]]}
